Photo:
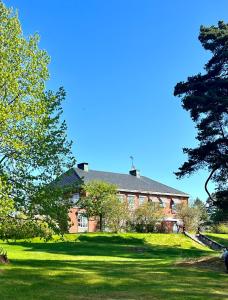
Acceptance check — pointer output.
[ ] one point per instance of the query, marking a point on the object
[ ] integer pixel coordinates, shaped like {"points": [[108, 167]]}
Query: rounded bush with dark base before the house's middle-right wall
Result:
{"points": [[146, 217]]}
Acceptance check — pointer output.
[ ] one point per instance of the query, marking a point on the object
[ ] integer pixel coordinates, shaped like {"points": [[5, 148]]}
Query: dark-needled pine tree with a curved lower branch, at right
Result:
{"points": [[205, 96]]}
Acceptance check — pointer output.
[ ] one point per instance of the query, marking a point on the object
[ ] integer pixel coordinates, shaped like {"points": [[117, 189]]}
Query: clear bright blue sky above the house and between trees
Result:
{"points": [[119, 62]]}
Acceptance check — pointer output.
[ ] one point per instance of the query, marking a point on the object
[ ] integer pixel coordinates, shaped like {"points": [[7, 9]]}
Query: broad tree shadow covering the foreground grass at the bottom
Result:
{"points": [[42, 279]]}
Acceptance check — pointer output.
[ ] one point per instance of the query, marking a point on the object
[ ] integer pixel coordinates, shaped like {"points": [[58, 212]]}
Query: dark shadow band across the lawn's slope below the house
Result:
{"points": [[112, 246]]}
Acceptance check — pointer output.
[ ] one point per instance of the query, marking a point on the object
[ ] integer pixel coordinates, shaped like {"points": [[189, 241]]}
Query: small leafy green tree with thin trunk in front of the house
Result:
{"points": [[95, 199]]}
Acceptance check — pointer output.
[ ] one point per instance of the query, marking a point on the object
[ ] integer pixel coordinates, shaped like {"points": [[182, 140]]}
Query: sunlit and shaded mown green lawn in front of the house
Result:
{"points": [[108, 266]]}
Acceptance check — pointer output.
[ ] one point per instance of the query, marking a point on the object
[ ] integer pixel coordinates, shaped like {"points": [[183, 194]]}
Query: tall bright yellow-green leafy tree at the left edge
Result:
{"points": [[34, 149]]}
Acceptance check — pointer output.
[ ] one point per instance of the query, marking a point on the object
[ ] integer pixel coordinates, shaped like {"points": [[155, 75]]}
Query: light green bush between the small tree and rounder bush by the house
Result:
{"points": [[117, 215]]}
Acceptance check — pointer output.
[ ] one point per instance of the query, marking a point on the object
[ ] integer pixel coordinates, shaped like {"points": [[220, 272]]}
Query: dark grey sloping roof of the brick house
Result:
{"points": [[124, 182]]}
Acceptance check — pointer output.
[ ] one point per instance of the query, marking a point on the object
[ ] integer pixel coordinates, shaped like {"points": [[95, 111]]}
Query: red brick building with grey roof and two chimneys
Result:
{"points": [[132, 188]]}
